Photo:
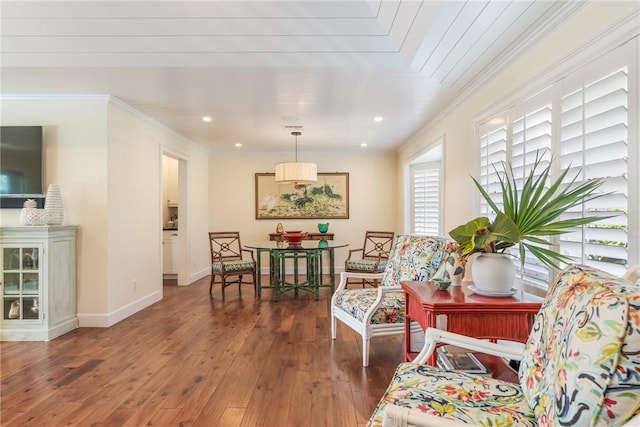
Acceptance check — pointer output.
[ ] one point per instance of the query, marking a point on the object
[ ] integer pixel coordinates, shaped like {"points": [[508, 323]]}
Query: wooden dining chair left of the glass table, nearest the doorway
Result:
{"points": [[229, 259]]}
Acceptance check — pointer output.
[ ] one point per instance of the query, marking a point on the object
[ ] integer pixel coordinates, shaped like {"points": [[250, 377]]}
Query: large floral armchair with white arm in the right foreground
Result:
{"points": [[580, 366]]}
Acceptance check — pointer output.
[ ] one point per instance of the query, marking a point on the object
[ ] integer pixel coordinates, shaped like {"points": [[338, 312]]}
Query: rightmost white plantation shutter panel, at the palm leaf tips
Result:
{"points": [[594, 137]]}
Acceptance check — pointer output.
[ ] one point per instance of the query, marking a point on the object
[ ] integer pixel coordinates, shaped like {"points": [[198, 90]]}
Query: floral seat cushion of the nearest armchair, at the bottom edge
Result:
{"points": [[468, 399]]}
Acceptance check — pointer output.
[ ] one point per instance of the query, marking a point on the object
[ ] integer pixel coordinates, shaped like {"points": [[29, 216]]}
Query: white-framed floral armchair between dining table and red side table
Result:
{"points": [[380, 311]]}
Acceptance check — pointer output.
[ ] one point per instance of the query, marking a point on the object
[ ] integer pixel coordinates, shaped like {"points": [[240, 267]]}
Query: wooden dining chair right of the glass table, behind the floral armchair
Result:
{"points": [[372, 256]]}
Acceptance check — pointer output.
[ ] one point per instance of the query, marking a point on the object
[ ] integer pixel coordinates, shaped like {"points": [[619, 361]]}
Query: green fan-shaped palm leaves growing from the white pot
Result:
{"points": [[528, 214]]}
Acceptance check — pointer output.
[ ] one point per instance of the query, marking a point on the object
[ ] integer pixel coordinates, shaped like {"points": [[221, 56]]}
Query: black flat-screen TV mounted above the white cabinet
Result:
{"points": [[21, 165]]}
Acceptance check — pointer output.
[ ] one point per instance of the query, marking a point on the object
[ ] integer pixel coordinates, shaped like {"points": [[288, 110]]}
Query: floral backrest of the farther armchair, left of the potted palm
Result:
{"points": [[414, 258]]}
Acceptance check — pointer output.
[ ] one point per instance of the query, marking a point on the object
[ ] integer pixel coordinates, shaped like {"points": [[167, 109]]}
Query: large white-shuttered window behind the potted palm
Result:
{"points": [[583, 120]]}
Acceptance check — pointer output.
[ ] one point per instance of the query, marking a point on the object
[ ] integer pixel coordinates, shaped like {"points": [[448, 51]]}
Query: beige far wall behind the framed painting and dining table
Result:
{"points": [[372, 195]]}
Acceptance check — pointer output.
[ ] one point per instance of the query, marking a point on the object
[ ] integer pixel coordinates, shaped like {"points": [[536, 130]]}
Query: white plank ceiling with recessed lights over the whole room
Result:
{"points": [[258, 66]]}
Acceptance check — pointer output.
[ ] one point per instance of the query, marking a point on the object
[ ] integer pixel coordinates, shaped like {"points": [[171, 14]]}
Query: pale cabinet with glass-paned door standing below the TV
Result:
{"points": [[38, 282]]}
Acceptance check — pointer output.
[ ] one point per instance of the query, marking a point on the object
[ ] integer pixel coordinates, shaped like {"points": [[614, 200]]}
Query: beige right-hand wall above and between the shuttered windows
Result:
{"points": [[573, 44]]}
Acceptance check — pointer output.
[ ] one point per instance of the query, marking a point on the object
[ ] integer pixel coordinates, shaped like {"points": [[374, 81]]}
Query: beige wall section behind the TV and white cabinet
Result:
{"points": [[75, 135]]}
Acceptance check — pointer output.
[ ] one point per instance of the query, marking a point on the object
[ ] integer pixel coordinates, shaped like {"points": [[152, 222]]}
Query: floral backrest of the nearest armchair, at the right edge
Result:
{"points": [[581, 365]]}
